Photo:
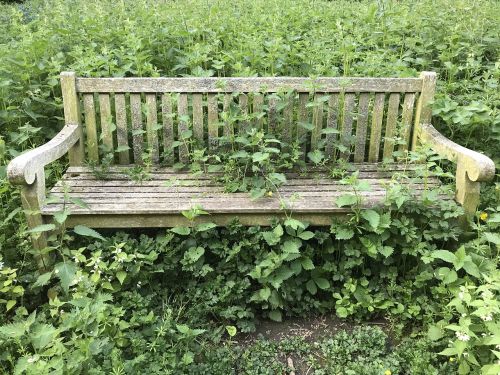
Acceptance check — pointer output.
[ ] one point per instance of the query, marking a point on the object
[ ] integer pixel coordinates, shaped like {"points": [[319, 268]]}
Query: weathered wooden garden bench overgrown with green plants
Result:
{"points": [[117, 111]]}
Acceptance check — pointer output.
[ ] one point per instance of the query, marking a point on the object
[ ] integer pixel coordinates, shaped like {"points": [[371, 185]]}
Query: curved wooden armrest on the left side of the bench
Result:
{"points": [[23, 169]]}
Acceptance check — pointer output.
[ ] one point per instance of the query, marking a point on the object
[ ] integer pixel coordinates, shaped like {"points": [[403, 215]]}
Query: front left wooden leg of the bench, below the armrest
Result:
{"points": [[32, 197]]}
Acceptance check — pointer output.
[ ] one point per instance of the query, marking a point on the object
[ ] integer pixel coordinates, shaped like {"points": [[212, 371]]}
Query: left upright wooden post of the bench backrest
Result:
{"points": [[72, 115]]}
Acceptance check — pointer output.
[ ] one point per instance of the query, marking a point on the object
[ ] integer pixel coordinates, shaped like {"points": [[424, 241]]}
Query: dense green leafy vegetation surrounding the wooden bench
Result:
{"points": [[178, 300]]}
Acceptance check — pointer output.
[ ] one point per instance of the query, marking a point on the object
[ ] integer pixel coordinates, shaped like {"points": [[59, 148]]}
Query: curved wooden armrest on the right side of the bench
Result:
{"points": [[479, 167]]}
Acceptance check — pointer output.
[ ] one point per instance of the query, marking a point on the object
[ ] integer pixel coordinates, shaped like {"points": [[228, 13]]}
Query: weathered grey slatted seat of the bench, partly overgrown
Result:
{"points": [[118, 201]]}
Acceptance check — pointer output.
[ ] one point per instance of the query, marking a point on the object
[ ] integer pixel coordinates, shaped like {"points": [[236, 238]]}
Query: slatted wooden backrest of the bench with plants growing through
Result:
{"points": [[373, 116]]}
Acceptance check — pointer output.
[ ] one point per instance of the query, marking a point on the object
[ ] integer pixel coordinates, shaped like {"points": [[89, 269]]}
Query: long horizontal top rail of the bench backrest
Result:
{"points": [[247, 84]]}
